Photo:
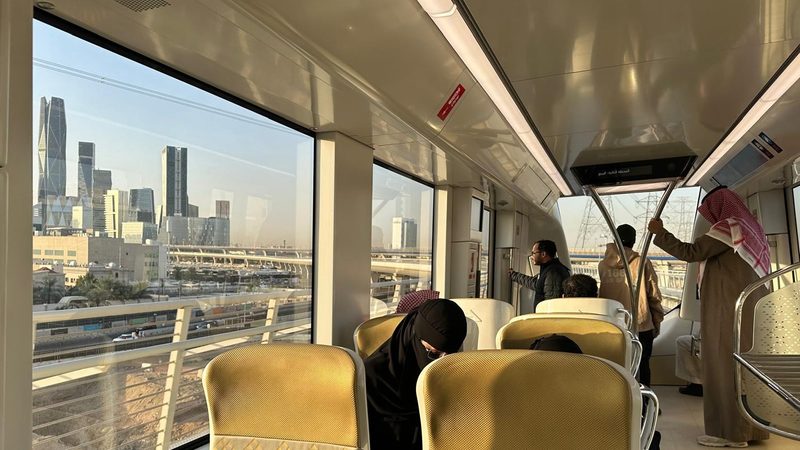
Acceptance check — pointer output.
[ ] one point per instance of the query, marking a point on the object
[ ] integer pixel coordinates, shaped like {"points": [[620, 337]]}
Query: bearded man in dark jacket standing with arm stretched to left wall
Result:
{"points": [[547, 284]]}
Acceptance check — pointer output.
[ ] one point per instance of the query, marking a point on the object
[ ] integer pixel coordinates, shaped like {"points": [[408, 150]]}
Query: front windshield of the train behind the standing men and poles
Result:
{"points": [[587, 233]]}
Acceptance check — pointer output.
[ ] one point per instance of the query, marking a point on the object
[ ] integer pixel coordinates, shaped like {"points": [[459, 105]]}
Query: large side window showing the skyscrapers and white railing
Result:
{"points": [[186, 218]]}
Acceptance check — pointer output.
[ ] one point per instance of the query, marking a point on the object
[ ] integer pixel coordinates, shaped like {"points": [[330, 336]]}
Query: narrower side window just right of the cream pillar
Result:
{"points": [[402, 238]]}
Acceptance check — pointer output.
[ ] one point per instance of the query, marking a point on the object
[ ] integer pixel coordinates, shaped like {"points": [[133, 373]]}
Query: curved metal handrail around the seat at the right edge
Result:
{"points": [[761, 376]]}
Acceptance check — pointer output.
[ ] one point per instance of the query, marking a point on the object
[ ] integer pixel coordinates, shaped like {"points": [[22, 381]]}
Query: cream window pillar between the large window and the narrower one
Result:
{"points": [[343, 238]]}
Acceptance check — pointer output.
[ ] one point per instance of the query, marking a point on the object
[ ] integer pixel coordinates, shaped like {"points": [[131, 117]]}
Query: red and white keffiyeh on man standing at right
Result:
{"points": [[734, 225]]}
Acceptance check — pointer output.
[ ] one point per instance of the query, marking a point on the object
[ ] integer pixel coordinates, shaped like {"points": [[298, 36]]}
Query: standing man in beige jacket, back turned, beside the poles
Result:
{"points": [[614, 286]]}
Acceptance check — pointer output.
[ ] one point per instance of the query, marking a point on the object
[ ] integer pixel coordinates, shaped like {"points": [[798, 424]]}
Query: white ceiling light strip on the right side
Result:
{"points": [[785, 80]]}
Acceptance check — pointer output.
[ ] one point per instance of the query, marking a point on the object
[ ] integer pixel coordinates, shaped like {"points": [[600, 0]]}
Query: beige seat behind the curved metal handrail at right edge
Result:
{"points": [[776, 346]]}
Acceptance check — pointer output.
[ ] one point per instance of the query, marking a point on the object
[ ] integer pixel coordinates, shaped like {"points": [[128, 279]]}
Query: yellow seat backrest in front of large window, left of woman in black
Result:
{"points": [[286, 396]]}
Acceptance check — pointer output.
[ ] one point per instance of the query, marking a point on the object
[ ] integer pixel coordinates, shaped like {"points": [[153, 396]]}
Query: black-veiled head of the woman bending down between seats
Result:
{"points": [[441, 328]]}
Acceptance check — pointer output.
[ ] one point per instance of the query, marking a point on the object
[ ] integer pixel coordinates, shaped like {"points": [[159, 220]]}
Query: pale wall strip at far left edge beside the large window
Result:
{"points": [[15, 223]]}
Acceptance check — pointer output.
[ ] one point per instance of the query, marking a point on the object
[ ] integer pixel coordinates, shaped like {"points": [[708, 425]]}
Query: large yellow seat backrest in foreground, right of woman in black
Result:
{"points": [[524, 399]]}
